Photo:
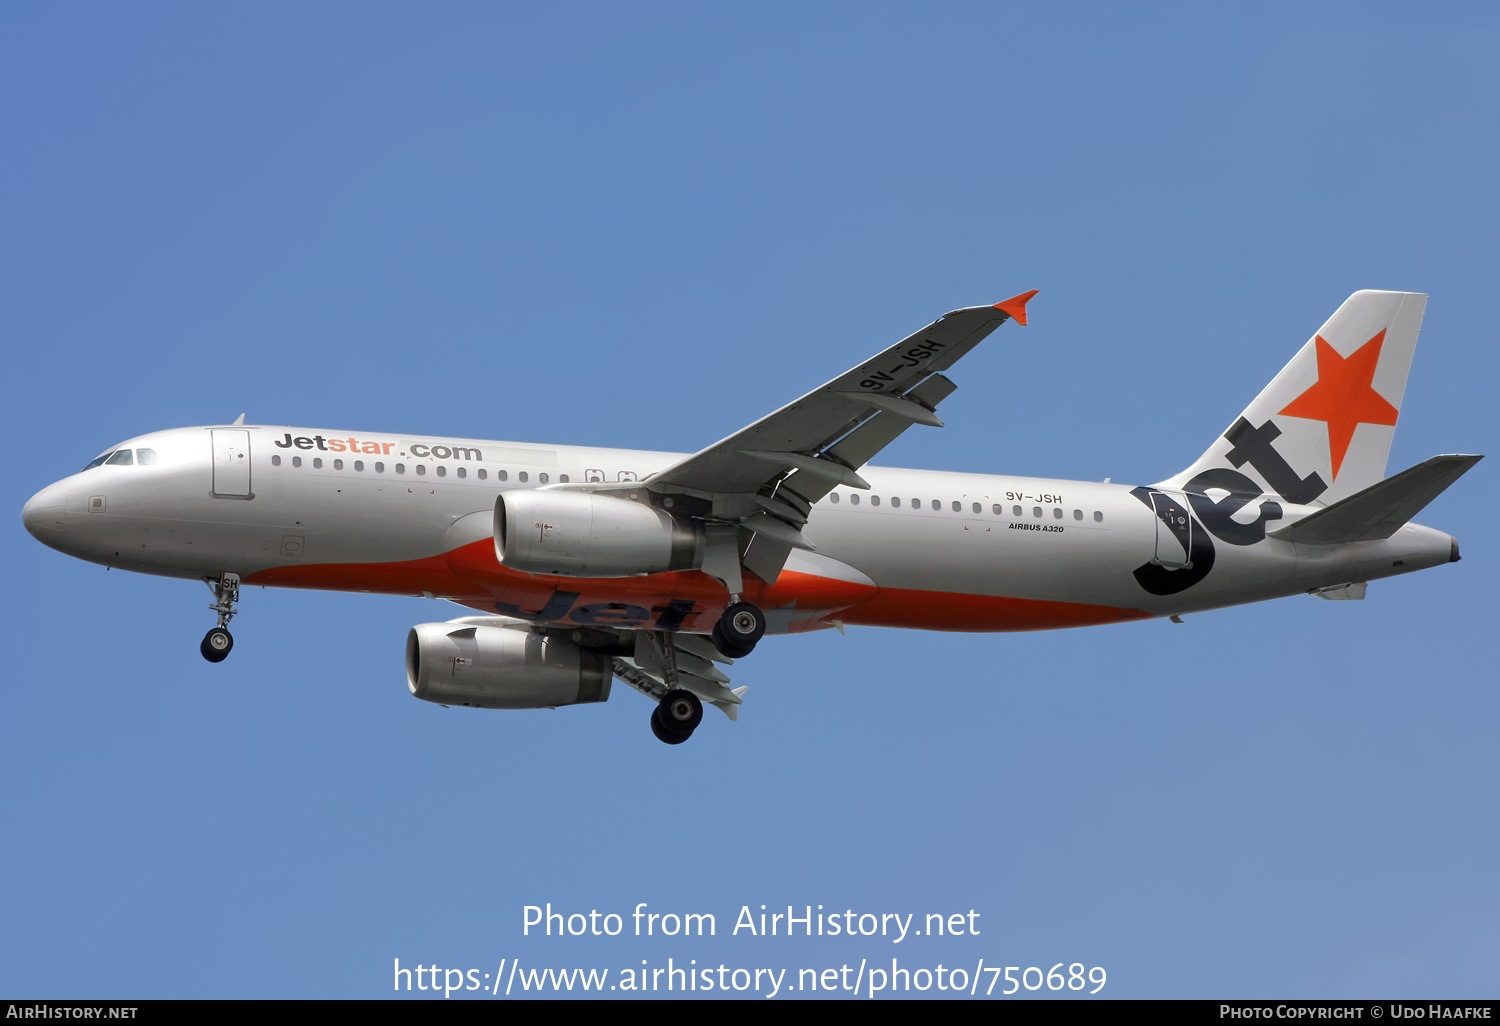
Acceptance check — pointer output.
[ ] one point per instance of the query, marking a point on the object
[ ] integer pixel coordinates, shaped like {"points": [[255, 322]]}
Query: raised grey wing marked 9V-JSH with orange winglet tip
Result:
{"points": [[755, 490]]}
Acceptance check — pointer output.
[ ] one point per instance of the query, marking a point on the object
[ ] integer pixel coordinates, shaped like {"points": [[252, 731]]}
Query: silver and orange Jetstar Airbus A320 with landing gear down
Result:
{"points": [[658, 569]]}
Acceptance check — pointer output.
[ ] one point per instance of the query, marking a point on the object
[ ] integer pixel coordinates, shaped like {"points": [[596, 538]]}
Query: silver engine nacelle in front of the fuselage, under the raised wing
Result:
{"points": [[581, 535]]}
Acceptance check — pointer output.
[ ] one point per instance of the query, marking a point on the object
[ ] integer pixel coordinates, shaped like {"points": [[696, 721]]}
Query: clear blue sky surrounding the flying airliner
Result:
{"points": [[649, 226]]}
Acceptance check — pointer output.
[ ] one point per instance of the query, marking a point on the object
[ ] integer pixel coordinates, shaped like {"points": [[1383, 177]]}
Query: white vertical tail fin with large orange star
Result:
{"points": [[1322, 430]]}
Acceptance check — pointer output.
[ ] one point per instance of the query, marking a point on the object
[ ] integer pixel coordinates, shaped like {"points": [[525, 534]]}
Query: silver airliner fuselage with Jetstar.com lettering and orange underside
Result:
{"points": [[413, 515]]}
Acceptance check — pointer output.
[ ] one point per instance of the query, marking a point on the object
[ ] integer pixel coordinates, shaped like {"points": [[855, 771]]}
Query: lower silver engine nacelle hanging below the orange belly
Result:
{"points": [[494, 668]]}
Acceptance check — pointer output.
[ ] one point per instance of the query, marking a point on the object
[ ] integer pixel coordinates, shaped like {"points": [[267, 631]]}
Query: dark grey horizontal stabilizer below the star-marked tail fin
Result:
{"points": [[1379, 511]]}
